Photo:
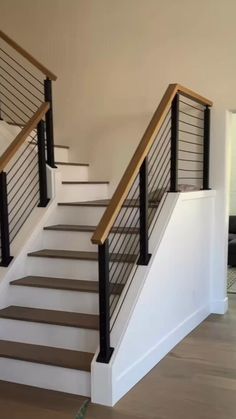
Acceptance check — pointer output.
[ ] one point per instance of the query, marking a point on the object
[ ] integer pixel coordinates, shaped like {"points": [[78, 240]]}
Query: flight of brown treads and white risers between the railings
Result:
{"points": [[52, 322]]}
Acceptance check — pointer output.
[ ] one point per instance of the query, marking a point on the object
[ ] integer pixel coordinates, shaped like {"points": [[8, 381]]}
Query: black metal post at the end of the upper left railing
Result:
{"points": [[49, 123]]}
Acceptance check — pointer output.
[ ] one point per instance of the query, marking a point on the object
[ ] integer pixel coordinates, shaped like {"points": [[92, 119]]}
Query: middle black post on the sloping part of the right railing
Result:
{"points": [[144, 256]]}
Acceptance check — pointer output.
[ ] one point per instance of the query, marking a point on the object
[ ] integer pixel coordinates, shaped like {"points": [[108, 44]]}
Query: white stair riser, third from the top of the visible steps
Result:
{"points": [[80, 192]]}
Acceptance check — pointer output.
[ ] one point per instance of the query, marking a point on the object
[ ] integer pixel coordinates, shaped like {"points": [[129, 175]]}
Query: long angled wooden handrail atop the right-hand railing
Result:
{"points": [[112, 211]]}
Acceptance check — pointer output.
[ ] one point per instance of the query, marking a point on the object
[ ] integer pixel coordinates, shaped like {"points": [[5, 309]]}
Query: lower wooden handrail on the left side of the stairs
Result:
{"points": [[21, 137]]}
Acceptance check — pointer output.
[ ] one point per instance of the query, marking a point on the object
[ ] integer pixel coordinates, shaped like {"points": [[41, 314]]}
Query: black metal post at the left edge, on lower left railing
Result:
{"points": [[4, 222]]}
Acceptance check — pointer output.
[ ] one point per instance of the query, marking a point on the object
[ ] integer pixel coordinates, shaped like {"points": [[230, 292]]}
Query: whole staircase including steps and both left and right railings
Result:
{"points": [[67, 307]]}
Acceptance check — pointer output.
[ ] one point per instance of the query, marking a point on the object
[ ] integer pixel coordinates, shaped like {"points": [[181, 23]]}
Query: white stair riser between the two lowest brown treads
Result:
{"points": [[74, 338]]}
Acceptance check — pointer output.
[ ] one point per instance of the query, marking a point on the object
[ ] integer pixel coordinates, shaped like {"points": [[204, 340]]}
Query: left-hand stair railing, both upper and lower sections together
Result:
{"points": [[26, 107]]}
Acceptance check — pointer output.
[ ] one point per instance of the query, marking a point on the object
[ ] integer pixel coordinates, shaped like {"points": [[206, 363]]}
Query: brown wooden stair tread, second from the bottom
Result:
{"points": [[60, 318]]}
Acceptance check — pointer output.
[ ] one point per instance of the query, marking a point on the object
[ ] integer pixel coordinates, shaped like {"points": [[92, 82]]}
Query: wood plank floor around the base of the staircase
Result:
{"points": [[197, 380]]}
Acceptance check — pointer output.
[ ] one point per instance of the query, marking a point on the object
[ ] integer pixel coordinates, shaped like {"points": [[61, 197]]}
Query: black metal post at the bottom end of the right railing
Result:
{"points": [[104, 306]]}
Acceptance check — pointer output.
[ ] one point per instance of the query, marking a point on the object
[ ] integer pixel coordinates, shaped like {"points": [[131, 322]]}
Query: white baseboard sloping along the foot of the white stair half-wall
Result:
{"points": [[140, 368]]}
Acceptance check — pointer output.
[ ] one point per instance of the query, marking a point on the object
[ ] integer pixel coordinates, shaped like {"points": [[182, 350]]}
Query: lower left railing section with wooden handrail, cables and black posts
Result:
{"points": [[23, 181]]}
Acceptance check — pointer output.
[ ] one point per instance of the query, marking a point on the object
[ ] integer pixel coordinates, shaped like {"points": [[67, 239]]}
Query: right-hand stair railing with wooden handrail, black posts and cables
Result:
{"points": [[172, 156]]}
